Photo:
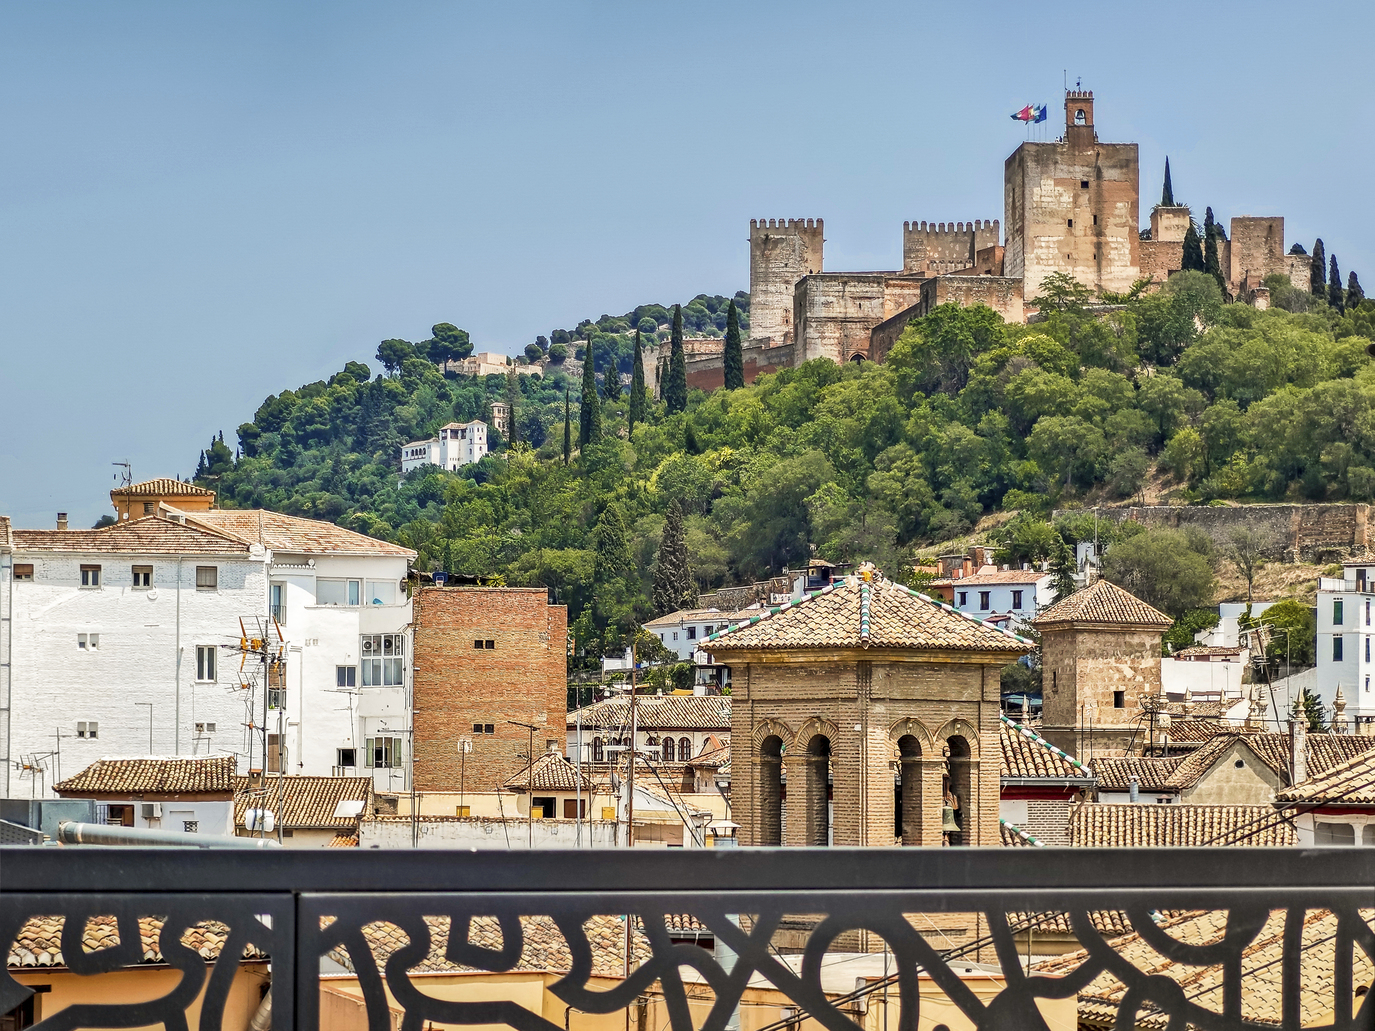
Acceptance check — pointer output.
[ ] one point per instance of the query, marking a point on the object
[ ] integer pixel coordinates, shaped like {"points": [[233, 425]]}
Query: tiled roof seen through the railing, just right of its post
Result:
{"points": [[545, 946]]}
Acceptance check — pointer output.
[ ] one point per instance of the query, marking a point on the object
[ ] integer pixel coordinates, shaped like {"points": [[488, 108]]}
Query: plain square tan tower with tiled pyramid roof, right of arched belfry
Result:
{"points": [[1101, 655]]}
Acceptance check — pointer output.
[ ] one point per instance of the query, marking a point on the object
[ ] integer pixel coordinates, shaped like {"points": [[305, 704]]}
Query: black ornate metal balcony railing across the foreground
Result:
{"points": [[1290, 930]]}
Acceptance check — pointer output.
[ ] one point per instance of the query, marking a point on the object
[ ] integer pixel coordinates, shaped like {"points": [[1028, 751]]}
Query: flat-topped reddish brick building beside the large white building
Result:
{"points": [[486, 656]]}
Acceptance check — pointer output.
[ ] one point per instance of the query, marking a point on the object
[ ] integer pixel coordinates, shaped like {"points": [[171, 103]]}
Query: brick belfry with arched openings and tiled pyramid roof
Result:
{"points": [[857, 710]]}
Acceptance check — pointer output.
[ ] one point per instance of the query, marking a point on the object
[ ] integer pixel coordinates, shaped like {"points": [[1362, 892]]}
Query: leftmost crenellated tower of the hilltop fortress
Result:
{"points": [[782, 252]]}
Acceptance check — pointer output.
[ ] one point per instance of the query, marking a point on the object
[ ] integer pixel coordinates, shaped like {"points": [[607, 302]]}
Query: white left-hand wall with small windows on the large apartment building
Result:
{"points": [[146, 637]]}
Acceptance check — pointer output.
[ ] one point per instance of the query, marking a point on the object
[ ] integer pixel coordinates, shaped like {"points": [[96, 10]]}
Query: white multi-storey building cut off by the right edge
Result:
{"points": [[1345, 632]]}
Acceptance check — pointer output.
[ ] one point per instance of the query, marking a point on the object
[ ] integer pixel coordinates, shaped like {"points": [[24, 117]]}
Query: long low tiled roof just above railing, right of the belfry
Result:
{"points": [[1095, 825]]}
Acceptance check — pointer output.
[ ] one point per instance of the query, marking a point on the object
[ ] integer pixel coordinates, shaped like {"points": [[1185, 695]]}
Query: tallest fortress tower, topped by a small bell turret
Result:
{"points": [[1073, 207]]}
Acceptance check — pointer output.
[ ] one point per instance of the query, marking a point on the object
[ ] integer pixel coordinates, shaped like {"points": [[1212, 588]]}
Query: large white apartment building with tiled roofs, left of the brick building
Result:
{"points": [[127, 641]]}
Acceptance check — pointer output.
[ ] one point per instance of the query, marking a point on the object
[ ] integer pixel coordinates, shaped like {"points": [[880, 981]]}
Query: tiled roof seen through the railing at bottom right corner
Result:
{"points": [[1263, 973]]}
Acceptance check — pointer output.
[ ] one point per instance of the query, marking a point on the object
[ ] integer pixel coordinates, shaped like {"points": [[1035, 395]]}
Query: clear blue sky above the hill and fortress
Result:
{"points": [[208, 204]]}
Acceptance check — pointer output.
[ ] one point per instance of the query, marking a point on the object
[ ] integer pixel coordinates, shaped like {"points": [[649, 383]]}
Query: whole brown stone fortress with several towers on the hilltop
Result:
{"points": [[1072, 206]]}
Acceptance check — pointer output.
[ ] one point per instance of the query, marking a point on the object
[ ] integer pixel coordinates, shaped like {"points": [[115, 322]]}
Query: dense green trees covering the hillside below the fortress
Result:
{"points": [[969, 416]]}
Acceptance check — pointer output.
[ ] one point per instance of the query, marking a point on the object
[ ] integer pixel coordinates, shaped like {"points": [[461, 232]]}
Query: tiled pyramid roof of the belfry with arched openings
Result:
{"points": [[859, 614]]}
